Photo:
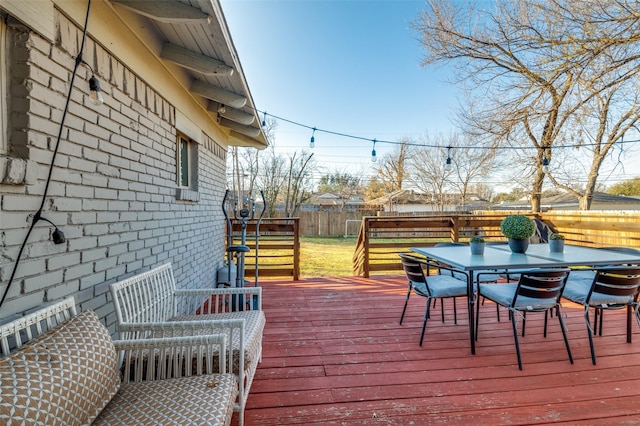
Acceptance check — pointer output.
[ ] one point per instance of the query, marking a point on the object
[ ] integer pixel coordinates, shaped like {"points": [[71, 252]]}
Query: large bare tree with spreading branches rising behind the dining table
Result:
{"points": [[530, 58]]}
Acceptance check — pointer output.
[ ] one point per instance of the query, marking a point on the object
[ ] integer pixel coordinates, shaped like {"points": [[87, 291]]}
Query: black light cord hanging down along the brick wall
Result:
{"points": [[38, 215]]}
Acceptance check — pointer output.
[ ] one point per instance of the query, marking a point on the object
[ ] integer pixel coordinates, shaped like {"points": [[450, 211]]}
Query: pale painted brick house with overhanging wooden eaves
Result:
{"points": [[138, 181]]}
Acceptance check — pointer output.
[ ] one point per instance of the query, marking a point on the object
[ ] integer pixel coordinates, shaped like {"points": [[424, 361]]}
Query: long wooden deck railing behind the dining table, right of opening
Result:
{"points": [[382, 238]]}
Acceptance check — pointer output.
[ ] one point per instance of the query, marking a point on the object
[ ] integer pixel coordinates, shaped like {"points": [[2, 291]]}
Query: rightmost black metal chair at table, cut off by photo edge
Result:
{"points": [[613, 287]]}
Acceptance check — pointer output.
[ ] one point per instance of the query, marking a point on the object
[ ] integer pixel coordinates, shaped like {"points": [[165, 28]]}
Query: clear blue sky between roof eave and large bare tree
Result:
{"points": [[351, 67]]}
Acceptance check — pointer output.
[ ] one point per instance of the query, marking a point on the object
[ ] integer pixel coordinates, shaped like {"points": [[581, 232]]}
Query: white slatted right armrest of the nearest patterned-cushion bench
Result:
{"points": [[173, 357]]}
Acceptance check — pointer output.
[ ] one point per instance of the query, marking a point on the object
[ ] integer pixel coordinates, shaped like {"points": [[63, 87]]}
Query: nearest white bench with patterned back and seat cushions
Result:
{"points": [[61, 367]]}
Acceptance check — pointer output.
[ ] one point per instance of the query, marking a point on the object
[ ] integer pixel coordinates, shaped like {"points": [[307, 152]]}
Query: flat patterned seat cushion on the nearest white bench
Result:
{"points": [[197, 400]]}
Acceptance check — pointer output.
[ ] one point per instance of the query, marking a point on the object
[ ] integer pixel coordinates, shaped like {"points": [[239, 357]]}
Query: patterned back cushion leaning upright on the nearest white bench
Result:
{"points": [[65, 376]]}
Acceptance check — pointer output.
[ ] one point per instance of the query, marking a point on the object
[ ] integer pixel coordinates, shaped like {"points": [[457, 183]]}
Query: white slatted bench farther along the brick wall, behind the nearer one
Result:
{"points": [[149, 305]]}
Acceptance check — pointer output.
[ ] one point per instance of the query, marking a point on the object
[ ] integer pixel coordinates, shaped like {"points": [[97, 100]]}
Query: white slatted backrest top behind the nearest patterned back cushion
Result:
{"points": [[19, 331]]}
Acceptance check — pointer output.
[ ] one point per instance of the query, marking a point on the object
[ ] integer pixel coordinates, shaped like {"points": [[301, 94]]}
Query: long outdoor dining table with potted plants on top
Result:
{"points": [[499, 257]]}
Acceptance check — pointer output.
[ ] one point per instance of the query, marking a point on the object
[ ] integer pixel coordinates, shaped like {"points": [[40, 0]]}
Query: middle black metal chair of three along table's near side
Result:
{"points": [[537, 290]]}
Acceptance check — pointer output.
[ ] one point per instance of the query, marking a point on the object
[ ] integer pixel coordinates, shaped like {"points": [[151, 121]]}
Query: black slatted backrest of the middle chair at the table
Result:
{"points": [[542, 284]]}
